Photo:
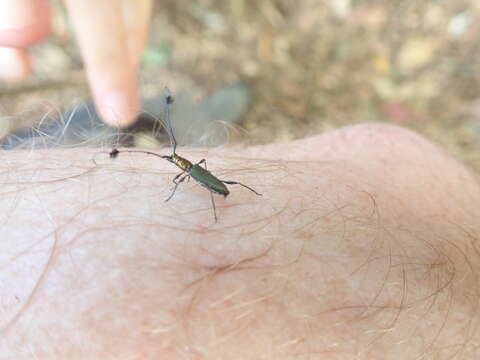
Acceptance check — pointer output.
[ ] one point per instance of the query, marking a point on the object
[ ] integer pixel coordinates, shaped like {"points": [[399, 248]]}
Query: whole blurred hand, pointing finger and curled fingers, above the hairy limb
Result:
{"points": [[110, 33]]}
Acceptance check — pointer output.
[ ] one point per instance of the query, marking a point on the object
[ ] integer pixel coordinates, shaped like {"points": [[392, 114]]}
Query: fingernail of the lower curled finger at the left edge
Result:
{"points": [[14, 64]]}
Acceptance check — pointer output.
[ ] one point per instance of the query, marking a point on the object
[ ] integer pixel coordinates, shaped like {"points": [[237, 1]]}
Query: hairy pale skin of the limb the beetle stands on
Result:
{"points": [[363, 246]]}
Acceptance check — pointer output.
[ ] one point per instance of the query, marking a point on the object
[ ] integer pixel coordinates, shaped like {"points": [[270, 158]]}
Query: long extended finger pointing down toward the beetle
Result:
{"points": [[101, 35]]}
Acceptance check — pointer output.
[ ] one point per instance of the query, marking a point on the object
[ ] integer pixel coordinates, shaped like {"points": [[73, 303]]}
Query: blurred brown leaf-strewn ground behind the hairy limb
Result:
{"points": [[294, 68]]}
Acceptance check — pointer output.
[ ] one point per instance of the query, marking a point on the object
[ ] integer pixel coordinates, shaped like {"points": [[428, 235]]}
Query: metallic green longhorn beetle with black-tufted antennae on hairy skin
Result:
{"points": [[198, 173]]}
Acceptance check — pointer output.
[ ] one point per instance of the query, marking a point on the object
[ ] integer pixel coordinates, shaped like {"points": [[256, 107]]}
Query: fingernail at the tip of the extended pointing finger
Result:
{"points": [[118, 108]]}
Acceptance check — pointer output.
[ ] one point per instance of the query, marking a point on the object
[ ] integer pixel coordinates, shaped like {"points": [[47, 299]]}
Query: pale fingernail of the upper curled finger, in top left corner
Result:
{"points": [[17, 14]]}
